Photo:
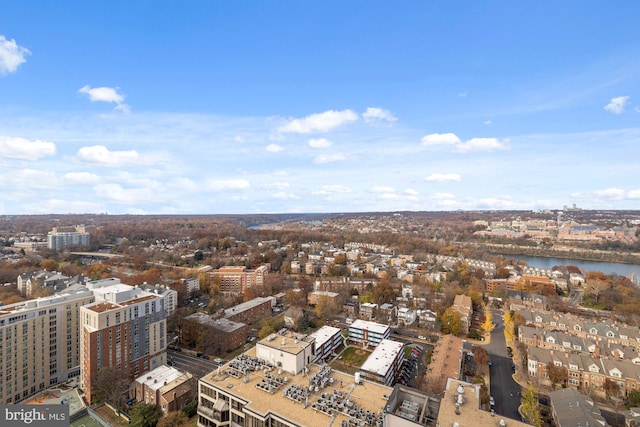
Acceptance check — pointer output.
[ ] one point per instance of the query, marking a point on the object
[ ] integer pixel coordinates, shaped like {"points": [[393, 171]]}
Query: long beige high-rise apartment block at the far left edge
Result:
{"points": [[40, 343]]}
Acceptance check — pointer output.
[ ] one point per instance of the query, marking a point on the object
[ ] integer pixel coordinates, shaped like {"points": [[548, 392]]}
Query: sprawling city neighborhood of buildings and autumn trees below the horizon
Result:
{"points": [[420, 309]]}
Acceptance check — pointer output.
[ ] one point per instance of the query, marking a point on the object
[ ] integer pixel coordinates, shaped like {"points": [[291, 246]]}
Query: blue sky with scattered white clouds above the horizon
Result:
{"points": [[208, 107]]}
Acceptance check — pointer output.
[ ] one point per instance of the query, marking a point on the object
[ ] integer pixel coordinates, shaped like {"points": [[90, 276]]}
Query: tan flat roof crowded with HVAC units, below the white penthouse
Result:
{"points": [[268, 390]]}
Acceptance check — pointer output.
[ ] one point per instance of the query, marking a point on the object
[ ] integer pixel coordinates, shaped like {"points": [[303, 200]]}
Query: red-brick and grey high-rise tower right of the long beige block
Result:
{"points": [[125, 329]]}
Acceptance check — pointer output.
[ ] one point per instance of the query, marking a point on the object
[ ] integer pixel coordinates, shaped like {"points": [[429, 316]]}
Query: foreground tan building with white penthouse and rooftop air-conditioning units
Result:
{"points": [[256, 390]]}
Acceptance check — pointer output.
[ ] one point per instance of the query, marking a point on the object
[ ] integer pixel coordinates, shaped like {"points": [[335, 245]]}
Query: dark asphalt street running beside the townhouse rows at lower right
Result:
{"points": [[503, 388]]}
